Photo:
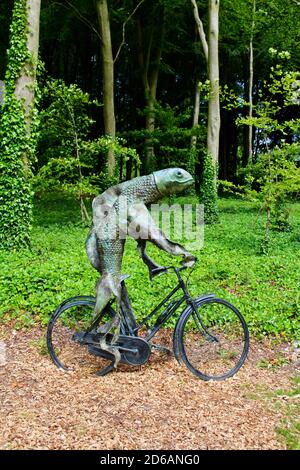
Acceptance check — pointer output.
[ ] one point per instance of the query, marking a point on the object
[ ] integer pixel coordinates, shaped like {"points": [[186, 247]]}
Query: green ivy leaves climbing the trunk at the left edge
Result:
{"points": [[16, 144]]}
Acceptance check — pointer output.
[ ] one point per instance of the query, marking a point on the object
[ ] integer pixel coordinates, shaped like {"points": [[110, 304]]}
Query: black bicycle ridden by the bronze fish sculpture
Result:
{"points": [[210, 337]]}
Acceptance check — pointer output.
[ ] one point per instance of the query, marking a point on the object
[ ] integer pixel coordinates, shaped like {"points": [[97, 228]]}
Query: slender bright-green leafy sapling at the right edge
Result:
{"points": [[274, 176]]}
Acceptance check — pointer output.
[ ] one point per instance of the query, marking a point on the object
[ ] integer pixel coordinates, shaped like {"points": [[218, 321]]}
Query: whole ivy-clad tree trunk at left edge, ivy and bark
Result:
{"points": [[17, 127]]}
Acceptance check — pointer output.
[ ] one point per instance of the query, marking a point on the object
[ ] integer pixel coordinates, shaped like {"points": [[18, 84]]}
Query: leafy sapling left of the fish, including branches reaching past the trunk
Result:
{"points": [[69, 162]]}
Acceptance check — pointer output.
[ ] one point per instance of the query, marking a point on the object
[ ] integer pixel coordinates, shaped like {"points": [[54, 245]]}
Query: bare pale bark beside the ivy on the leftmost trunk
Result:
{"points": [[25, 83]]}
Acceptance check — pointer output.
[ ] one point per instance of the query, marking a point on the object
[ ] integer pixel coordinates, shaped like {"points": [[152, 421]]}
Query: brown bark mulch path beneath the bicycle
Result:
{"points": [[158, 406]]}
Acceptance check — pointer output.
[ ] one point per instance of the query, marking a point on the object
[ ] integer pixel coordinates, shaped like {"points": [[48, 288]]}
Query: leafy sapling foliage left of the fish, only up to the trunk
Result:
{"points": [[65, 123]]}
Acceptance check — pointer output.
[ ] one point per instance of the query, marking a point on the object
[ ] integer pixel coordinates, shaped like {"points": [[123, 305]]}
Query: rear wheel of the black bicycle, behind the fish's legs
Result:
{"points": [[65, 332]]}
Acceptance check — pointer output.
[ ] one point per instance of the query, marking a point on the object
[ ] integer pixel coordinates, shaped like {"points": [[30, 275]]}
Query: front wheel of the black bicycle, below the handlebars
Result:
{"points": [[212, 340]]}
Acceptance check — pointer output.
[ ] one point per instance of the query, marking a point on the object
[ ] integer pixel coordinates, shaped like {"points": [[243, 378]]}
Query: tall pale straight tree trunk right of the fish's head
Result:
{"points": [[214, 119]]}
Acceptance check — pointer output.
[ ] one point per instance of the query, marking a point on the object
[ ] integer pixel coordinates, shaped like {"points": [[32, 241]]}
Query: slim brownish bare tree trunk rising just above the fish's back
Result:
{"points": [[108, 79]]}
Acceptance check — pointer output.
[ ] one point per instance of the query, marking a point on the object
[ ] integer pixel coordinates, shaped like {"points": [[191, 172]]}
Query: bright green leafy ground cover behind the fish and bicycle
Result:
{"points": [[231, 264]]}
